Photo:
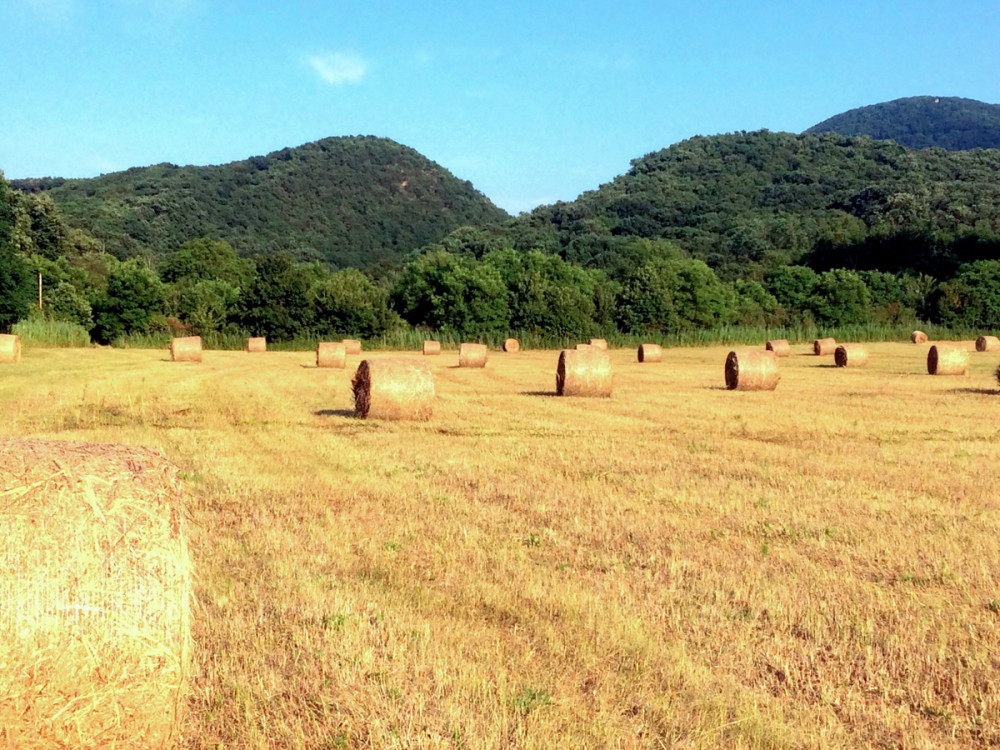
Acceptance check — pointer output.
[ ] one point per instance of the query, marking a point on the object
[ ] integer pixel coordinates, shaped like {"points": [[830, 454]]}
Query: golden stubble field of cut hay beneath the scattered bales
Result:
{"points": [[677, 566]]}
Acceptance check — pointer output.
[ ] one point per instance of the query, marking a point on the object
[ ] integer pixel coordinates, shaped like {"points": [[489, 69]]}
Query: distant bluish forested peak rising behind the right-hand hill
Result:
{"points": [[923, 122]]}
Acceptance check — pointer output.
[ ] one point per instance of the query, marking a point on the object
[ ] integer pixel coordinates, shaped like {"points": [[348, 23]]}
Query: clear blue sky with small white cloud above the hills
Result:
{"points": [[532, 102]]}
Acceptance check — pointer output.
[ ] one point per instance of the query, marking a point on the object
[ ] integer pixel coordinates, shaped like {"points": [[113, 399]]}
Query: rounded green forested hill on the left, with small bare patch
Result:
{"points": [[351, 201]]}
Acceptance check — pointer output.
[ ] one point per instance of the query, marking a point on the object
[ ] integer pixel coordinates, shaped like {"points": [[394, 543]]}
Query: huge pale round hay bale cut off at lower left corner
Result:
{"points": [[95, 595]]}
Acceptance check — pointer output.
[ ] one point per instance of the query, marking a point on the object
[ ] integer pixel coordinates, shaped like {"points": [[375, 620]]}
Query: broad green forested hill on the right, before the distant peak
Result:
{"points": [[763, 199]]}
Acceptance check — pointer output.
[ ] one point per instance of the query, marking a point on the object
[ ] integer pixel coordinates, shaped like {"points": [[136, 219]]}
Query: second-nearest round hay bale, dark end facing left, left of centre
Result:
{"points": [[393, 389]]}
